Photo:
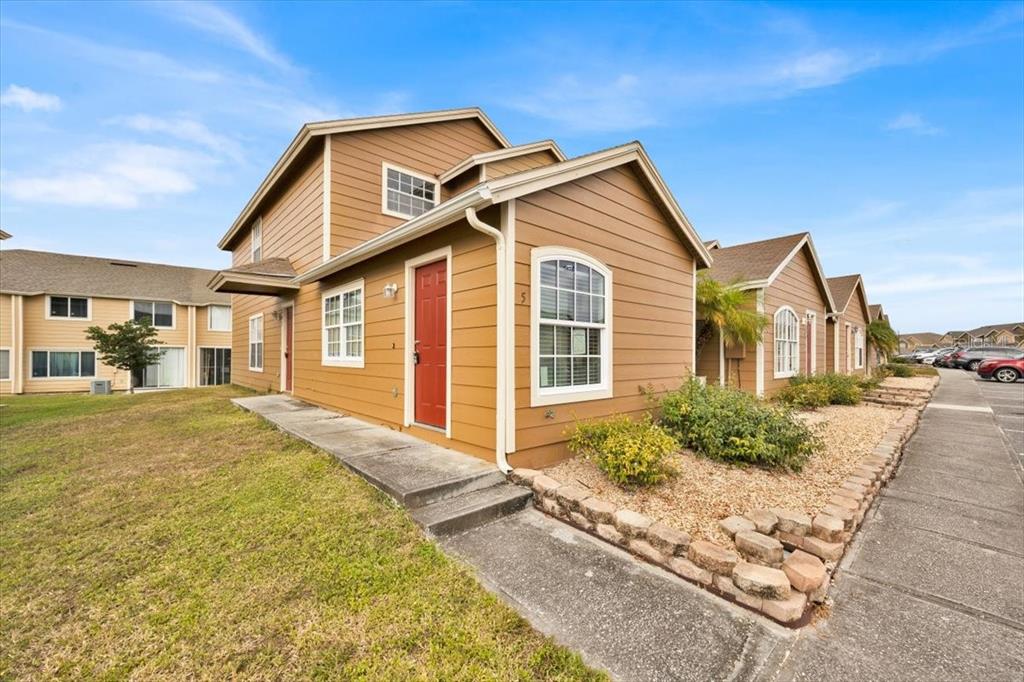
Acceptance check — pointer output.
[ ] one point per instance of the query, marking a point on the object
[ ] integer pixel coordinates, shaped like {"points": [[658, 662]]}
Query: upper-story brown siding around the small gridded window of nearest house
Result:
{"points": [[357, 160]]}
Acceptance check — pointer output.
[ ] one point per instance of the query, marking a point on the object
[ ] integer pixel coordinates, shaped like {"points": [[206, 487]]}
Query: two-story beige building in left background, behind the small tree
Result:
{"points": [[49, 301]]}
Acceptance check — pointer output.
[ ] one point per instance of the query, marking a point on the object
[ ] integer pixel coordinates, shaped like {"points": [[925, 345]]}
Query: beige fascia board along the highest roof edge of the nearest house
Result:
{"points": [[310, 131]]}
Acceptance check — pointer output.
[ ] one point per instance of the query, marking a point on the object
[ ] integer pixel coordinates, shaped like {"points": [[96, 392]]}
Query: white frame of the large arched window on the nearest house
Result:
{"points": [[562, 395]]}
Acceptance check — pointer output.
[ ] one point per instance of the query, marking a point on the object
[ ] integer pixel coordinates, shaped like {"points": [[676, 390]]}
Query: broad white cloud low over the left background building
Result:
{"points": [[115, 176]]}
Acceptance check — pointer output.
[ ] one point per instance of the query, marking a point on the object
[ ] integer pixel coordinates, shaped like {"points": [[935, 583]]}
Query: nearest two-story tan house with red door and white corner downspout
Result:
{"points": [[422, 273]]}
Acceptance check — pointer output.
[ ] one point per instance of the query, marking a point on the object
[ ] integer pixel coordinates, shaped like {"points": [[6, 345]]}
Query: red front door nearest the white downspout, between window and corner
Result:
{"points": [[431, 344]]}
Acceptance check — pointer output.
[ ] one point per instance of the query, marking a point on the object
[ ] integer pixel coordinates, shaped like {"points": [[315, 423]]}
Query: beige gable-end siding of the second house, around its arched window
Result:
{"points": [[797, 287]]}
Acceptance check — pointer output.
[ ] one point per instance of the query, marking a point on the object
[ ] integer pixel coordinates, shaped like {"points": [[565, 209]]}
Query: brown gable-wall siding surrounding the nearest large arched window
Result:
{"points": [[612, 218]]}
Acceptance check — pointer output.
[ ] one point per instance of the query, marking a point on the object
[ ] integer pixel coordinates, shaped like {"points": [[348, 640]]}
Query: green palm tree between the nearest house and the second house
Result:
{"points": [[729, 310]]}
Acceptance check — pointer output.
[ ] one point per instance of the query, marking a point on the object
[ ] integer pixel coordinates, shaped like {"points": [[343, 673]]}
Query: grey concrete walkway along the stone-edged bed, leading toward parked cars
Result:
{"points": [[933, 589]]}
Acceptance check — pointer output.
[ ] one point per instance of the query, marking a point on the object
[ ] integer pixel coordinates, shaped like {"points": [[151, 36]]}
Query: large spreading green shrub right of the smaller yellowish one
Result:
{"points": [[733, 427]]}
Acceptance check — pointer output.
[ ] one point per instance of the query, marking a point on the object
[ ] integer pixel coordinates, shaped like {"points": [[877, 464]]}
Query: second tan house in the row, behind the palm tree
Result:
{"points": [[790, 287]]}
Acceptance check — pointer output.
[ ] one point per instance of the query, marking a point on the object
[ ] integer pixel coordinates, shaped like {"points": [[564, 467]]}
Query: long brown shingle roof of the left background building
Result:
{"points": [[45, 273]]}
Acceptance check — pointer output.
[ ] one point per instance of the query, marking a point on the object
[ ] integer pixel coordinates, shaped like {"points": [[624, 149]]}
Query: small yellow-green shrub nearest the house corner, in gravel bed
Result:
{"points": [[630, 453]]}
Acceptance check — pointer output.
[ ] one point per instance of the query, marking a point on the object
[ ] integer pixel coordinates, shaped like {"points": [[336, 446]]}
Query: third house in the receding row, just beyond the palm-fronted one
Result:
{"points": [[846, 334]]}
